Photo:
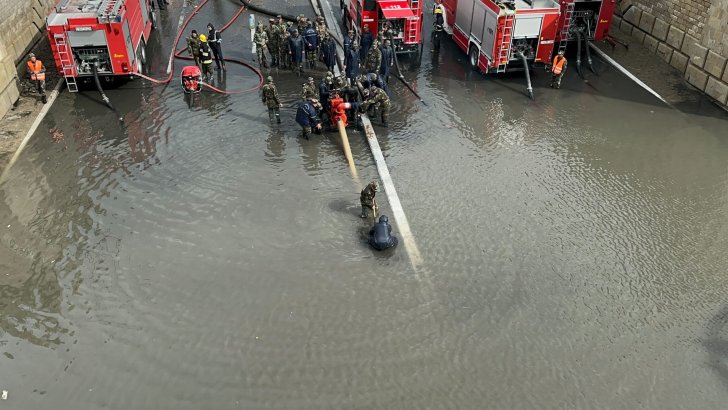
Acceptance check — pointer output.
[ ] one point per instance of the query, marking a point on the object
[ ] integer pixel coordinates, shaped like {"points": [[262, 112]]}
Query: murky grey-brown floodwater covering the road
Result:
{"points": [[196, 257]]}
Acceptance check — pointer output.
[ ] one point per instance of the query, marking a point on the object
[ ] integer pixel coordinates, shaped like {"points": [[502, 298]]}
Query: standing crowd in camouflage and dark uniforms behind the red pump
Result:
{"points": [[290, 46]]}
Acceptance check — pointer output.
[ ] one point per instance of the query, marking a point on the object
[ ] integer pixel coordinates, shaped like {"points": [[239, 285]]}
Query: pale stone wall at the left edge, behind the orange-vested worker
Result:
{"points": [[21, 24]]}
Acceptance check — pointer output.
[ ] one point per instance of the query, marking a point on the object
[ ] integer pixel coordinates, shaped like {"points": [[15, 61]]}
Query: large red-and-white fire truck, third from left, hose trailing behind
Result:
{"points": [[501, 35]]}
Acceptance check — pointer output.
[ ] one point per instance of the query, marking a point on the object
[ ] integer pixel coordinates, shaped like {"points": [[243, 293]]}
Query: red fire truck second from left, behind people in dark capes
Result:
{"points": [[402, 19]]}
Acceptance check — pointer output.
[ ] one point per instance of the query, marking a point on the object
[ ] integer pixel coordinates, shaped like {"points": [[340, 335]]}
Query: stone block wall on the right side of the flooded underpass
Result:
{"points": [[690, 35]]}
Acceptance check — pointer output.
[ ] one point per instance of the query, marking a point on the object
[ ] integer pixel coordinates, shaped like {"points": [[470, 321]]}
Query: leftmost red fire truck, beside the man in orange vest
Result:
{"points": [[104, 37]]}
